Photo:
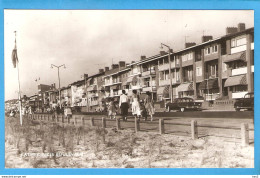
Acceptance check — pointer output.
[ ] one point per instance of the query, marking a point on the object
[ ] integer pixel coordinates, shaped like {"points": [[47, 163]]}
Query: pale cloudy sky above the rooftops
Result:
{"points": [[86, 40]]}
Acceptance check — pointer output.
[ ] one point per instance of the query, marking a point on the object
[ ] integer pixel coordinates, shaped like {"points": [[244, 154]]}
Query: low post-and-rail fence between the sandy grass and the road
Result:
{"points": [[82, 120]]}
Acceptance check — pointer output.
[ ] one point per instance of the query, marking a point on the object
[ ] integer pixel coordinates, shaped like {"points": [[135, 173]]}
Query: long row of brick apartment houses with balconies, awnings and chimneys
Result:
{"points": [[219, 69]]}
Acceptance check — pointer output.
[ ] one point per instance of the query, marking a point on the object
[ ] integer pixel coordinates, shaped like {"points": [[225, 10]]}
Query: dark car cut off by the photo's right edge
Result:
{"points": [[245, 103]]}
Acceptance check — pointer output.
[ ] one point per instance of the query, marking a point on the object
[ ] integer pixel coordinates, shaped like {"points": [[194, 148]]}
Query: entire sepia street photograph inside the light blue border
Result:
{"points": [[129, 88]]}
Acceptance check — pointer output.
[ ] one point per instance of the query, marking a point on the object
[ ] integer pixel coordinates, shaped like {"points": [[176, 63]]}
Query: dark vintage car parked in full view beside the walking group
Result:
{"points": [[182, 104]]}
